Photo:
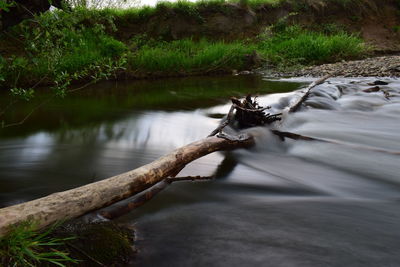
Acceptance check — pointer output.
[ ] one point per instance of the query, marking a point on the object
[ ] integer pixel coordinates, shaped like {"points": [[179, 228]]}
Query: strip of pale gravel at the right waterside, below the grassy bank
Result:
{"points": [[384, 66]]}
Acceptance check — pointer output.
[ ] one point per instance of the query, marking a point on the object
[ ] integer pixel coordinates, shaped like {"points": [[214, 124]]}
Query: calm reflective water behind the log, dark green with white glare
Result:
{"points": [[108, 129]]}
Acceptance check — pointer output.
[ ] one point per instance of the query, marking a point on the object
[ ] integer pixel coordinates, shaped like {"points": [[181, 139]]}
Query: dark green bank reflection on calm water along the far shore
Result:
{"points": [[109, 101]]}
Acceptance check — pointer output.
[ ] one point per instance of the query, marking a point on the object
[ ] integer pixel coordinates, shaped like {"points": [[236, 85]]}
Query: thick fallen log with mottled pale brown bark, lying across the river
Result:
{"points": [[76, 202]]}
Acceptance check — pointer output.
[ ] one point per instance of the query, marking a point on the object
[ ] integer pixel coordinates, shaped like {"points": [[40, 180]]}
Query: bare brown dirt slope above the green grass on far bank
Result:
{"points": [[378, 21]]}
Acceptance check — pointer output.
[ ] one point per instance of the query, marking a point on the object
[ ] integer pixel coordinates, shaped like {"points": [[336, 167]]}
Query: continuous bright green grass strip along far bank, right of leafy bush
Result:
{"points": [[293, 45]]}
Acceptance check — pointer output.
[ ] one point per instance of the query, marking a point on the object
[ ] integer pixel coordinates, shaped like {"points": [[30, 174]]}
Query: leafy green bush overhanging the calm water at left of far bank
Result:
{"points": [[61, 48]]}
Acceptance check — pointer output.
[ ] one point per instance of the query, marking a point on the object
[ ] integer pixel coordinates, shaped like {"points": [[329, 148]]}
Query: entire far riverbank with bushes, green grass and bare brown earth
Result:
{"points": [[179, 39]]}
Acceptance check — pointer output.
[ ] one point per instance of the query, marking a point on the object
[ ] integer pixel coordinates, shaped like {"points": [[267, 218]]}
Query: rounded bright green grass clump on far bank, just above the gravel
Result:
{"points": [[300, 46]]}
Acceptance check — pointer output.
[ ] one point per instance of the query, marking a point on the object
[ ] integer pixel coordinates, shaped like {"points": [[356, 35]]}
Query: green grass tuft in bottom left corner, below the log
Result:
{"points": [[24, 246]]}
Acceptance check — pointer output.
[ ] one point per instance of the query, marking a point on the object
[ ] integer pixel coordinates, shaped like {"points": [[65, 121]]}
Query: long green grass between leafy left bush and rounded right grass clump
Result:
{"points": [[187, 55]]}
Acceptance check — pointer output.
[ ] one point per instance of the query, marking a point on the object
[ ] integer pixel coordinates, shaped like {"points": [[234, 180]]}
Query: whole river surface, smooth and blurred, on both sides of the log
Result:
{"points": [[333, 202]]}
